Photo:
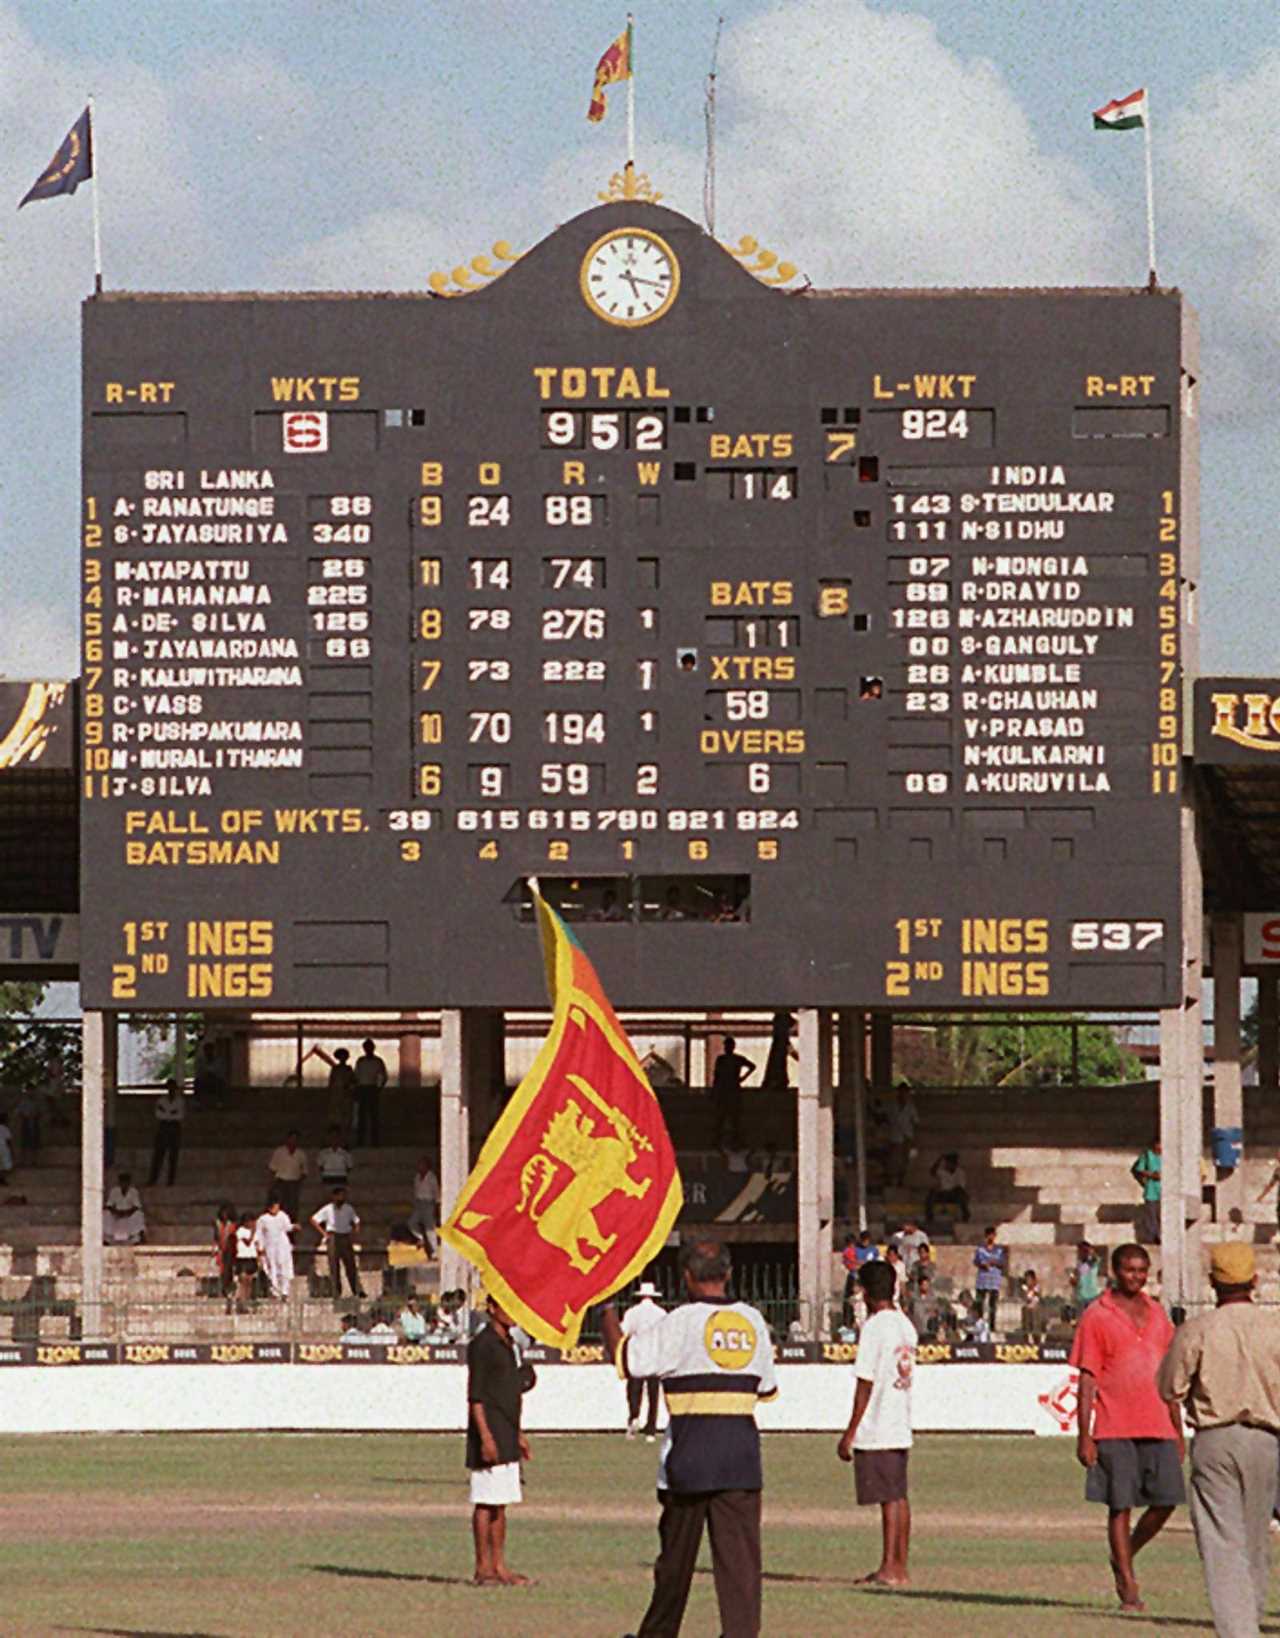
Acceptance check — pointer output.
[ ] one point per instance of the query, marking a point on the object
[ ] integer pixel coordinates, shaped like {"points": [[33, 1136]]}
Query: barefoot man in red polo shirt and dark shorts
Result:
{"points": [[1130, 1441]]}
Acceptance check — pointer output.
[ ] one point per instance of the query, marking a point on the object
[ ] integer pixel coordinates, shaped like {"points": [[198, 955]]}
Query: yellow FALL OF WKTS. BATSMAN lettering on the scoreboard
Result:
{"points": [[173, 838]]}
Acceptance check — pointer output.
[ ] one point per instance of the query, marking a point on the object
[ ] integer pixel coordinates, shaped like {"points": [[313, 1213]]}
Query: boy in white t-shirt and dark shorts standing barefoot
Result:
{"points": [[879, 1434]]}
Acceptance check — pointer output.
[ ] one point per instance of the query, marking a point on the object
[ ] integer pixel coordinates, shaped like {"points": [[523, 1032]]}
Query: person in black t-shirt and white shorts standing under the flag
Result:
{"points": [[497, 1380]]}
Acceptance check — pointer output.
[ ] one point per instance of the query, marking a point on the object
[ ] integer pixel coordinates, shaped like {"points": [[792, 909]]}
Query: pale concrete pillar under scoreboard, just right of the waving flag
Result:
{"points": [[815, 1159]]}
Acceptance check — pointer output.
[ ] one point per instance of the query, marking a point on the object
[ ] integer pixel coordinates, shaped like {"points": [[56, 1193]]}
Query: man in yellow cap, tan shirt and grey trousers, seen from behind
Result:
{"points": [[1225, 1367]]}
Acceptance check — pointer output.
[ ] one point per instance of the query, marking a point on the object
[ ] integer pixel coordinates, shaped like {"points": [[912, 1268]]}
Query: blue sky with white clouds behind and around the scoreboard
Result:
{"points": [[309, 145]]}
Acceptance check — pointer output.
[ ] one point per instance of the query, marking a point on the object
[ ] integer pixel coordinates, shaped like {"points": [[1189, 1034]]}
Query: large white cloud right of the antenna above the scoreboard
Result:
{"points": [[860, 145]]}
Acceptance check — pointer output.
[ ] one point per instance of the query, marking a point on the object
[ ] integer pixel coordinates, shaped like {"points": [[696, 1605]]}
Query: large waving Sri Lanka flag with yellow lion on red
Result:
{"points": [[576, 1188]]}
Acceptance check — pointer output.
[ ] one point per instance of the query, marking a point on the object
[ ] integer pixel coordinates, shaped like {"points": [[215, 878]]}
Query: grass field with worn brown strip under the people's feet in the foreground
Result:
{"points": [[235, 1536]]}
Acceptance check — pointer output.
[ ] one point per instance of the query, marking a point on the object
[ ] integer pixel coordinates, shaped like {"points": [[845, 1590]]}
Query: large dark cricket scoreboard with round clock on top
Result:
{"points": [[810, 648]]}
